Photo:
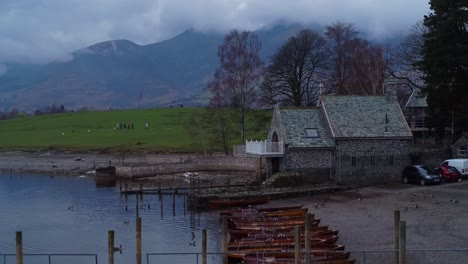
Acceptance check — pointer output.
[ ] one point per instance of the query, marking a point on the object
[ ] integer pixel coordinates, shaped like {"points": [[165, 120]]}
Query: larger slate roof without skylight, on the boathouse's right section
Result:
{"points": [[364, 117]]}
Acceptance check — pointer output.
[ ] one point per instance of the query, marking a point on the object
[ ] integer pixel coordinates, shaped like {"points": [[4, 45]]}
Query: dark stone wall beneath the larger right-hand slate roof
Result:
{"points": [[371, 161]]}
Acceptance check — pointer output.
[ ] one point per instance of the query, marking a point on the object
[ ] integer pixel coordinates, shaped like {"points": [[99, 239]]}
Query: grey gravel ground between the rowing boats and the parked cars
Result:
{"points": [[436, 218]]}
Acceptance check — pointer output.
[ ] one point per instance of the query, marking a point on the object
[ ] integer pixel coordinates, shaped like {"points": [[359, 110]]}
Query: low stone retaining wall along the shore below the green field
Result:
{"points": [[192, 165]]}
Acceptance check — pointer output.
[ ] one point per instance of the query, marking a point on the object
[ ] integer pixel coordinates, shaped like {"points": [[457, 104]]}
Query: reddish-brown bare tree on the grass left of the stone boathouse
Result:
{"points": [[239, 73]]}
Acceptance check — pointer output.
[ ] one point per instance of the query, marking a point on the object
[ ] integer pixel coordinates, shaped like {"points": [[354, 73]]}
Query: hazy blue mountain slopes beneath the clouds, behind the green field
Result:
{"points": [[120, 74]]}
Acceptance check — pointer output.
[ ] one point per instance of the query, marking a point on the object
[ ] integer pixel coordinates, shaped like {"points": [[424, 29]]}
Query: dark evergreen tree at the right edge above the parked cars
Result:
{"points": [[445, 64]]}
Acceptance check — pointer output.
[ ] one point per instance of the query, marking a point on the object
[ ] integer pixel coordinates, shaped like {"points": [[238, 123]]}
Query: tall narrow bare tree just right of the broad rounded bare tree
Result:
{"points": [[339, 36]]}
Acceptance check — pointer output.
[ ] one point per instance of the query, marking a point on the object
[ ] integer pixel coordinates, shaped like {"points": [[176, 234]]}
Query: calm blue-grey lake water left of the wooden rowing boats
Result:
{"points": [[70, 215]]}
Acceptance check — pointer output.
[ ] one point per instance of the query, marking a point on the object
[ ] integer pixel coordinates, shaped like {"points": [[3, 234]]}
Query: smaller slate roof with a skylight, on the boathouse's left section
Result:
{"points": [[295, 121]]}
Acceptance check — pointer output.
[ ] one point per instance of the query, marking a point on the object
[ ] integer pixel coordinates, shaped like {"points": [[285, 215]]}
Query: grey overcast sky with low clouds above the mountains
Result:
{"points": [[40, 31]]}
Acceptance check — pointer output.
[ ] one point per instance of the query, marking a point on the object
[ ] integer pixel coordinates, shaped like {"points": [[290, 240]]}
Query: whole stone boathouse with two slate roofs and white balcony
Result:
{"points": [[346, 139]]}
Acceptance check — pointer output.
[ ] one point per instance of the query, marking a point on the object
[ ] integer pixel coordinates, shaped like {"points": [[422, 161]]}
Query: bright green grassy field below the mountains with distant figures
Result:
{"points": [[169, 130]]}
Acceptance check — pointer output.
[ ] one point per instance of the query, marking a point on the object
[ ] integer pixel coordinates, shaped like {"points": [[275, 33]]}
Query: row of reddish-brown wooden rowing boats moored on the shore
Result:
{"points": [[266, 235]]}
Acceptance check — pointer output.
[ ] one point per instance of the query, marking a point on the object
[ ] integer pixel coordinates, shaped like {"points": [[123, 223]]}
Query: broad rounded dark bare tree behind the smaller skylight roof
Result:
{"points": [[292, 77]]}
